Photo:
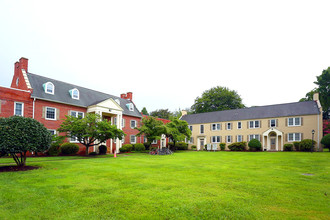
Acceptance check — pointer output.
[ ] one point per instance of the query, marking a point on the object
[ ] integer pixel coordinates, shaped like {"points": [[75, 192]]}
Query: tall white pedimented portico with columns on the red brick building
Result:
{"points": [[110, 110]]}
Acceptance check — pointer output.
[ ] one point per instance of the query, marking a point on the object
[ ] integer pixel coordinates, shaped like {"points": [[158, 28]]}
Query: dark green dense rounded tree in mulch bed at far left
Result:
{"points": [[20, 135]]}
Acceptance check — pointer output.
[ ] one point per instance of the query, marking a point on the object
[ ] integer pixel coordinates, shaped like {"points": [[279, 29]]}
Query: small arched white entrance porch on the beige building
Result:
{"points": [[273, 140]]}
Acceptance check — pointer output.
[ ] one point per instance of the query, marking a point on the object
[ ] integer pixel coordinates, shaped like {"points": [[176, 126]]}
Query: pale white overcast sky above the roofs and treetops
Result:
{"points": [[169, 52]]}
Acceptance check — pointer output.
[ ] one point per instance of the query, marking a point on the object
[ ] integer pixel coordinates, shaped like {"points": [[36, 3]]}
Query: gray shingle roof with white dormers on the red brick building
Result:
{"points": [[87, 97]]}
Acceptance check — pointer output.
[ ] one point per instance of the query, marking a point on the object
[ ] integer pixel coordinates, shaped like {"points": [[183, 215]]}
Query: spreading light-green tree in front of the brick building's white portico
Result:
{"points": [[91, 130]]}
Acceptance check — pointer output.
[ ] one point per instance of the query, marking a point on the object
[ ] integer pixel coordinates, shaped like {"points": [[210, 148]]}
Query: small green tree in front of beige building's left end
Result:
{"points": [[177, 130]]}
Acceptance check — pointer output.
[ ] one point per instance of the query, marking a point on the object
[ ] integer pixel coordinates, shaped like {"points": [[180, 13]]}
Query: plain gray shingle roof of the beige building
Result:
{"points": [[269, 111]]}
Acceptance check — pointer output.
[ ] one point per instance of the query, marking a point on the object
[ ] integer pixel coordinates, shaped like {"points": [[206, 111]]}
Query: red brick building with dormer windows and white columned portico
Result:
{"points": [[48, 101]]}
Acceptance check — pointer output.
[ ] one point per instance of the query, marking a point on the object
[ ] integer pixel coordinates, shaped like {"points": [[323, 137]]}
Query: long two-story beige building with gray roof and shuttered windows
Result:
{"points": [[273, 125]]}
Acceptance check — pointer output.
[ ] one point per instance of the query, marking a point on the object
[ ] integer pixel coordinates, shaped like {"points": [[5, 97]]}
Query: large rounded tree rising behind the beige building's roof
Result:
{"points": [[217, 99]]}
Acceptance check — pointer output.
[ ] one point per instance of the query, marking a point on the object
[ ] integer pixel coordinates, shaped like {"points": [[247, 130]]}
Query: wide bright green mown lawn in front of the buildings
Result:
{"points": [[186, 185]]}
